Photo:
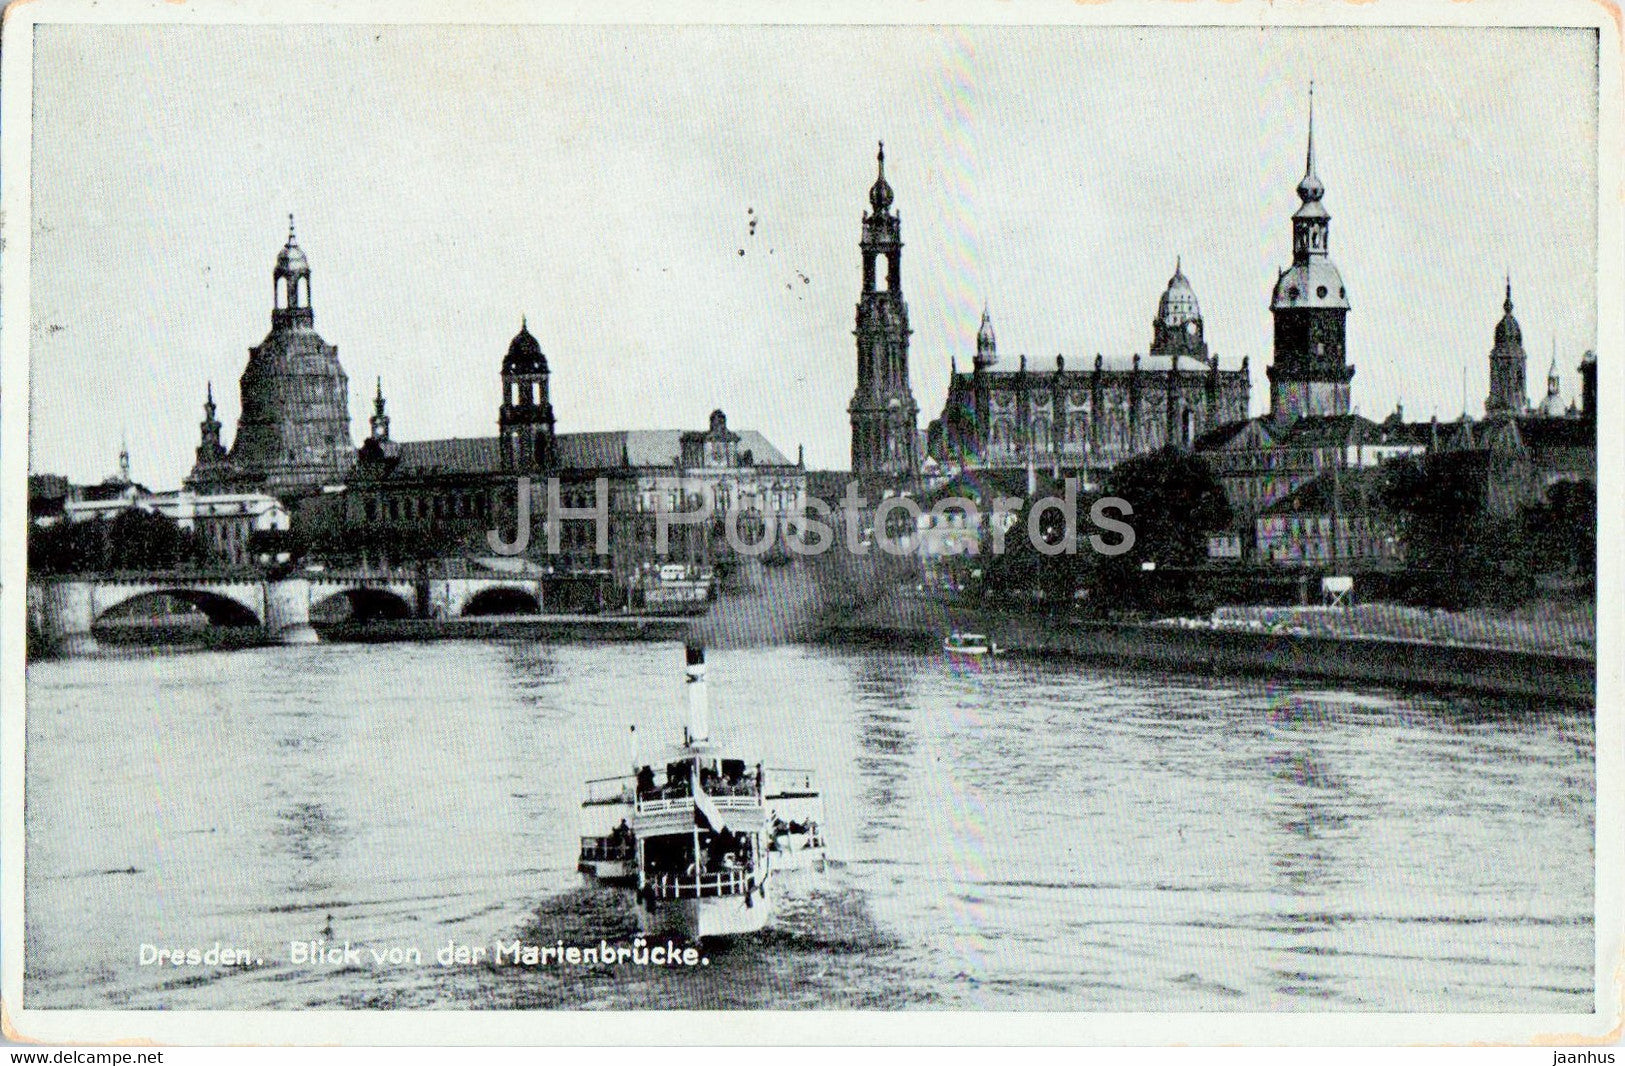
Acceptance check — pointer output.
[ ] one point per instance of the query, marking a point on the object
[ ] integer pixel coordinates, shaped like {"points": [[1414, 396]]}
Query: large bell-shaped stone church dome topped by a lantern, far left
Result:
{"points": [[293, 436]]}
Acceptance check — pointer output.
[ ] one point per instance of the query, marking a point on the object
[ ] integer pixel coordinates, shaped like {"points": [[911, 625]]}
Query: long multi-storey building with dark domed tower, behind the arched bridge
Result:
{"points": [[444, 498]]}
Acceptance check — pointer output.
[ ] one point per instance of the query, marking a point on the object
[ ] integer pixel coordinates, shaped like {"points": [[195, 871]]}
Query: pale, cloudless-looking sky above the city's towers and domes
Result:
{"points": [[604, 181]]}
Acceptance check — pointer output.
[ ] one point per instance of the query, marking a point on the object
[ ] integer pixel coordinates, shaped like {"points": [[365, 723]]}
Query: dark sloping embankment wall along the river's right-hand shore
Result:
{"points": [[1376, 661]]}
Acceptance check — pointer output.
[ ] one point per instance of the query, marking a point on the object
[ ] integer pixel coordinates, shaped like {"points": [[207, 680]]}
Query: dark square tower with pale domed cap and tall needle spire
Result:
{"points": [[1311, 371]]}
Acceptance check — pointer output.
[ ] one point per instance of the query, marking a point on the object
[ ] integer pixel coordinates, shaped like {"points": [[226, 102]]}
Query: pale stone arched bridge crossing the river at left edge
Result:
{"points": [[67, 610]]}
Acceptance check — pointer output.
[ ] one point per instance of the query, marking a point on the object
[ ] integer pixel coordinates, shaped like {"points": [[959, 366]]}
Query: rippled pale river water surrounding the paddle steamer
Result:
{"points": [[1034, 836]]}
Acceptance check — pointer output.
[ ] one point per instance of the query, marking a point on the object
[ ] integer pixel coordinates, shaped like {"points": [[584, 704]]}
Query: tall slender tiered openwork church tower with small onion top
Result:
{"points": [[885, 417]]}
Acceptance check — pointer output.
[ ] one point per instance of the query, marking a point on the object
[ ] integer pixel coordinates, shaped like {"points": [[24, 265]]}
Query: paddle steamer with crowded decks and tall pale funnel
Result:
{"points": [[704, 839]]}
